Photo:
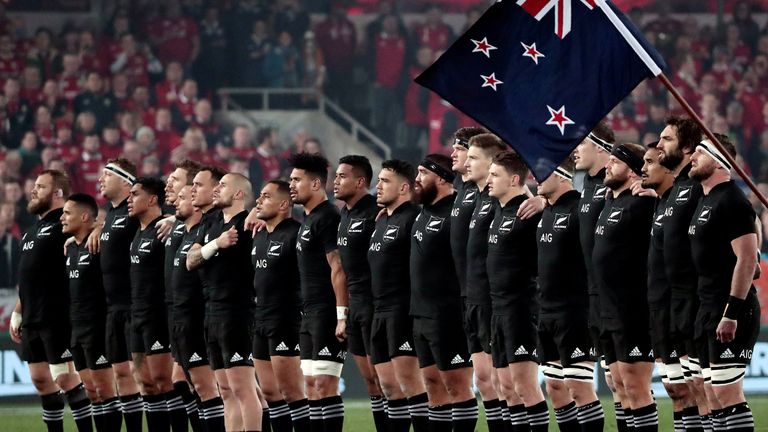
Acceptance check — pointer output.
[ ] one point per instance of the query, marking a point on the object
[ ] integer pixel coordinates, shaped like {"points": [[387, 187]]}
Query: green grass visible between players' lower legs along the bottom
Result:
{"points": [[26, 418]]}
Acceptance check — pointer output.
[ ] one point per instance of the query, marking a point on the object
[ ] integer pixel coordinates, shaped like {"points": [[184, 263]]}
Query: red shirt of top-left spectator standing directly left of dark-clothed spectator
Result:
{"points": [[175, 37]]}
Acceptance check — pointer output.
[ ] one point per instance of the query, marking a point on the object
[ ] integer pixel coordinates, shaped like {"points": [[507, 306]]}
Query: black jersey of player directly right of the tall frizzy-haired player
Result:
{"points": [[354, 235]]}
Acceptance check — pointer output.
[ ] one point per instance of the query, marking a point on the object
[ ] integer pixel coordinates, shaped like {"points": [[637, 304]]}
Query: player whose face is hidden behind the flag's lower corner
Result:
{"points": [[565, 345]]}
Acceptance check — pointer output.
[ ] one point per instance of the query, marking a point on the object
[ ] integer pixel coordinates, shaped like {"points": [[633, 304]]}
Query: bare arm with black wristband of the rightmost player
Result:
{"points": [[744, 248]]}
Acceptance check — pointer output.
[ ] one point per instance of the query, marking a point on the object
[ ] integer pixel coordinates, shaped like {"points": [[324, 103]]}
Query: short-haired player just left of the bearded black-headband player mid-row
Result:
{"points": [[392, 346]]}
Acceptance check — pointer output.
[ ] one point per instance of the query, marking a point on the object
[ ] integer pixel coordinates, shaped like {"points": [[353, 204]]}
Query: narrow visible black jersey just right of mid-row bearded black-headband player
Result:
{"points": [[467, 194]]}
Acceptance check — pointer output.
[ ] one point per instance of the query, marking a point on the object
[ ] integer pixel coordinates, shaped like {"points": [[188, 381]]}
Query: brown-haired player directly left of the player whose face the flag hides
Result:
{"points": [[511, 267]]}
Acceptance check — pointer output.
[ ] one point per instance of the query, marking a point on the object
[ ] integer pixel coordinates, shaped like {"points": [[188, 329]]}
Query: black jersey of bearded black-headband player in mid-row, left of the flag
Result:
{"points": [[434, 287]]}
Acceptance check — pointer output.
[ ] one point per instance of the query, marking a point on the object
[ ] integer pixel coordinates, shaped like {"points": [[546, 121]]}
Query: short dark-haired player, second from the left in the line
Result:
{"points": [[88, 313]]}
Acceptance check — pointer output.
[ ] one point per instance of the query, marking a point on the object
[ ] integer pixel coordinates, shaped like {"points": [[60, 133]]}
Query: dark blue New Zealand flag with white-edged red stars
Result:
{"points": [[543, 91]]}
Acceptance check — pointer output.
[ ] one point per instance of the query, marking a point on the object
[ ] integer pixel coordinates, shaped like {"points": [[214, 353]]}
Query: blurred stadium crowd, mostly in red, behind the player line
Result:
{"points": [[144, 86]]}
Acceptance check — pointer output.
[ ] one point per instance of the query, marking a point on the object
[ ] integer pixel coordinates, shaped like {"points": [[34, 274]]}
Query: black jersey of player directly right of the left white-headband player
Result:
{"points": [[147, 270]]}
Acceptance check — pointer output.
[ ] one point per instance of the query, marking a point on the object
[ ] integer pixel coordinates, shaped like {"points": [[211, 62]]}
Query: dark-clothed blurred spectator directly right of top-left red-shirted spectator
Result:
{"points": [[211, 64]]}
